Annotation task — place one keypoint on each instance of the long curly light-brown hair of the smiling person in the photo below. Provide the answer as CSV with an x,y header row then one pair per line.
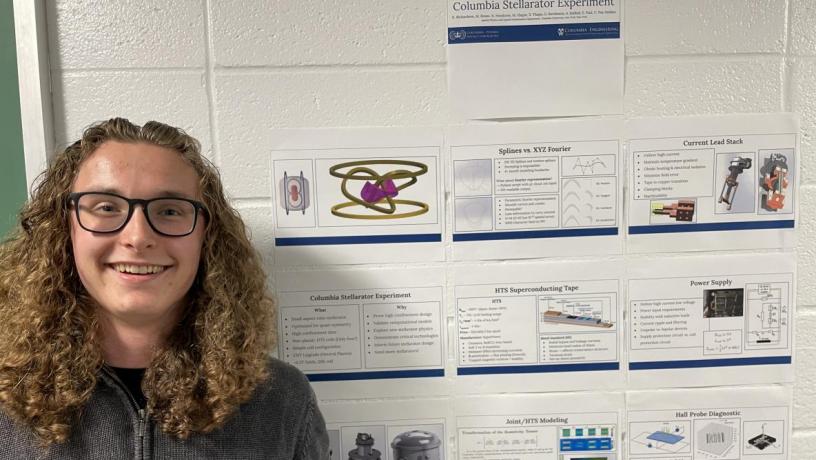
x,y
49,340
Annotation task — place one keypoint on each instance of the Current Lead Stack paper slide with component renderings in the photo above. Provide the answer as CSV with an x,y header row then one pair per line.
x,y
712,183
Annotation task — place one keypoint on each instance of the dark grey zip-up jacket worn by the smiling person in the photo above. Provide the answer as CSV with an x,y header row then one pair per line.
x,y
280,422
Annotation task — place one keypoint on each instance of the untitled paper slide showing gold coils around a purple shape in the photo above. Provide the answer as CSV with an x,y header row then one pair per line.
x,y
357,196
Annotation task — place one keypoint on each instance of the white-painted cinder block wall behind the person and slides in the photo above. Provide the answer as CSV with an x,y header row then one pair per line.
x,y
229,71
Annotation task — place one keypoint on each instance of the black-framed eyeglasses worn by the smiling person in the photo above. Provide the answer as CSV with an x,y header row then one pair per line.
x,y
100,212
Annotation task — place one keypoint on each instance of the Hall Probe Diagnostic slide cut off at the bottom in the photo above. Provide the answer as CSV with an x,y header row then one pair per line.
x,y
709,424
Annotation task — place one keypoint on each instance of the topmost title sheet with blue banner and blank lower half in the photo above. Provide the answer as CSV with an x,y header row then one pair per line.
x,y
541,58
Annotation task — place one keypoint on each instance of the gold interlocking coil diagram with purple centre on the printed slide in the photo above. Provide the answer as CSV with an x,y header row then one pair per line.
x,y
379,191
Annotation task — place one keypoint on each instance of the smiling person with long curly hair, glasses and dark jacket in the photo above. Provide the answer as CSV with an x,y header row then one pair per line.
x,y
134,317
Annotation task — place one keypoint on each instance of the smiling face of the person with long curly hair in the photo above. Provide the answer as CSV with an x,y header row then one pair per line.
x,y
136,275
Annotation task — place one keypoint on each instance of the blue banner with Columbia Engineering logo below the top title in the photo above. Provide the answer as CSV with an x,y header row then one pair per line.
x,y
533,33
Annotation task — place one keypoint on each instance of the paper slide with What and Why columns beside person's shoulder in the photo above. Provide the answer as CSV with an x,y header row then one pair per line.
x,y
365,332
